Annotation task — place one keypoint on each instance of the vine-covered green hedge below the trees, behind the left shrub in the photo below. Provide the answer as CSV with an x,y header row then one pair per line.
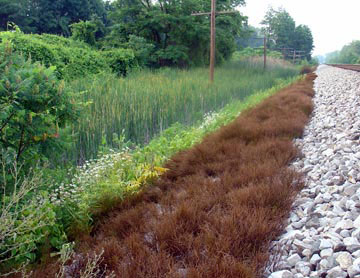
x,y
72,59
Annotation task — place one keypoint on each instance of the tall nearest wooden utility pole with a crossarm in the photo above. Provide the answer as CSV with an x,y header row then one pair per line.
x,y
212,14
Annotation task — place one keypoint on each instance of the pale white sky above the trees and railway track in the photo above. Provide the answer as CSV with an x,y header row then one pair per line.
x,y
333,23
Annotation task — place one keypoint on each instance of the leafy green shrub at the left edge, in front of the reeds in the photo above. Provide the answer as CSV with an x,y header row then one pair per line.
x,y
33,105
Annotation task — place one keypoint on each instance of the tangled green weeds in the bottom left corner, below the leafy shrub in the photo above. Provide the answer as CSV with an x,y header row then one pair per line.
x,y
28,219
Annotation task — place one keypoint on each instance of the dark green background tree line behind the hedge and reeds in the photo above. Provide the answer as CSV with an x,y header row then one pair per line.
x,y
162,33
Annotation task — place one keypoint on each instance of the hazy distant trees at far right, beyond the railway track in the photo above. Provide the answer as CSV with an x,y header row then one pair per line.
x,y
349,54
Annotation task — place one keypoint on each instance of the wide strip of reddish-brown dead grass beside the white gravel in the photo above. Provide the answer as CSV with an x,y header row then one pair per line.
x,y
214,213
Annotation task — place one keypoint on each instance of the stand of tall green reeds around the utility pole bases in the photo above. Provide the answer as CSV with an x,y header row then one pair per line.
x,y
147,102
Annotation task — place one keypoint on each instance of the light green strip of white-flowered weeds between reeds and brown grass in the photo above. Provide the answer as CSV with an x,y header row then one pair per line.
x,y
101,184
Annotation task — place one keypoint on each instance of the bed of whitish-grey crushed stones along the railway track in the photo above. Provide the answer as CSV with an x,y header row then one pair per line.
x,y
322,238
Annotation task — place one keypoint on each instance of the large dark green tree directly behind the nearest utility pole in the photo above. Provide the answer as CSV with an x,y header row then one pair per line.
x,y
178,38
